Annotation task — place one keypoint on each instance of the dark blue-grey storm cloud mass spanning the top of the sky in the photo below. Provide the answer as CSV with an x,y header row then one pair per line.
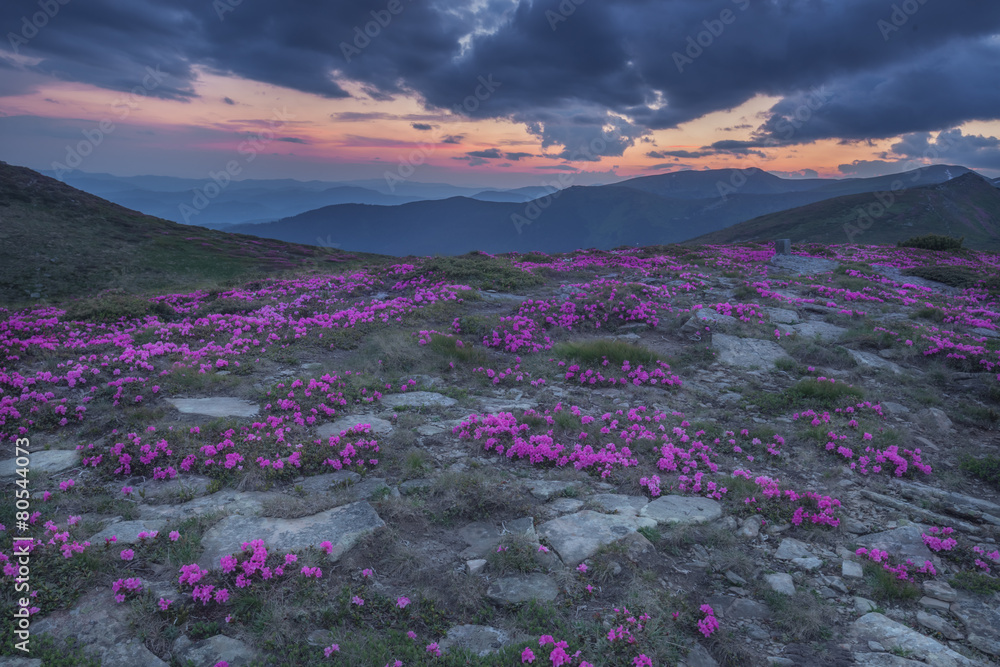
x,y
593,74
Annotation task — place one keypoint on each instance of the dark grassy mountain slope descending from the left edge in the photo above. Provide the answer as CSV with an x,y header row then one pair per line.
x,y
57,241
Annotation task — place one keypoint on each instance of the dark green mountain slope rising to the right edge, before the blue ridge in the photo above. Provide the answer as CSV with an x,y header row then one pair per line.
x,y
966,206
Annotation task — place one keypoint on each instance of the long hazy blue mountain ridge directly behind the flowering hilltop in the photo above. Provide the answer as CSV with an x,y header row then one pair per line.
x,y
664,208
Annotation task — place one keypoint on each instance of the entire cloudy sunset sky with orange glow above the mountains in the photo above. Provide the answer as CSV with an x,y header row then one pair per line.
x,y
502,93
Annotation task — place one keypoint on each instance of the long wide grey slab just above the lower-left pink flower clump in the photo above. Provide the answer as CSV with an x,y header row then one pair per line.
x,y
341,526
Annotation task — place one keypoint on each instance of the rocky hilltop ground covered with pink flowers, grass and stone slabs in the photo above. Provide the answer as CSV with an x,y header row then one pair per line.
x,y
657,456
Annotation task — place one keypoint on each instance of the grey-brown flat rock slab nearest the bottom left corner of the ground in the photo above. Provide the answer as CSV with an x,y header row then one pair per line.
x,y
101,629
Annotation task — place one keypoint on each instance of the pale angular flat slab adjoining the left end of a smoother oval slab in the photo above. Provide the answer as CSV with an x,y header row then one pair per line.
x,y
576,537
